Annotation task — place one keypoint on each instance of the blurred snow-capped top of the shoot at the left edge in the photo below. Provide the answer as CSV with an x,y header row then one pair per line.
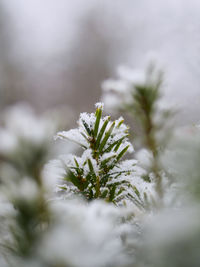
x,y
25,139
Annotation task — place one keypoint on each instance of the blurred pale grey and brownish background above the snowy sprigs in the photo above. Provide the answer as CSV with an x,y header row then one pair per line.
x,y
56,53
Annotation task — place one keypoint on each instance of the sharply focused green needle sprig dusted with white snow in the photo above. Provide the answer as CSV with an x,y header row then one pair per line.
x,y
99,172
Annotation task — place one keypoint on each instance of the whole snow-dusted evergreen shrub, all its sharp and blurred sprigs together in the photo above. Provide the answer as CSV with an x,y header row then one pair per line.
x,y
152,218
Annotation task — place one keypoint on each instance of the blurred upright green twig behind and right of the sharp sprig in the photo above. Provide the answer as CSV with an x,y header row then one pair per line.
x,y
152,121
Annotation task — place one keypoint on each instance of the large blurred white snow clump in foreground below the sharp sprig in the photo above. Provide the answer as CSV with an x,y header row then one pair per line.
x,y
94,231
